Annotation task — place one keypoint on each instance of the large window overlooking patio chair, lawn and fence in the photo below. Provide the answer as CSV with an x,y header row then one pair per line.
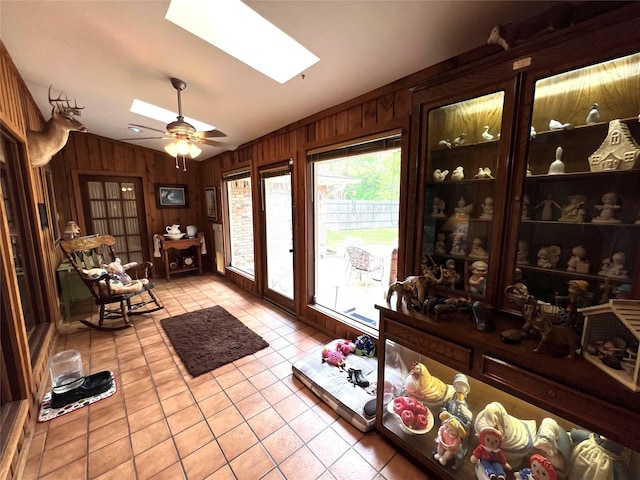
x,y
356,214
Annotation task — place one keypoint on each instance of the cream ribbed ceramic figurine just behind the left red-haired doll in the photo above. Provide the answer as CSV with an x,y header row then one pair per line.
x,y
517,434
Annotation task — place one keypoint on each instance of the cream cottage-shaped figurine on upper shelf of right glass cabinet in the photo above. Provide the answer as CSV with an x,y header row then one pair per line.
x,y
619,150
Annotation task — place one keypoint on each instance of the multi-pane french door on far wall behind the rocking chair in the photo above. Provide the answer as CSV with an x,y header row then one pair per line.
x,y
115,206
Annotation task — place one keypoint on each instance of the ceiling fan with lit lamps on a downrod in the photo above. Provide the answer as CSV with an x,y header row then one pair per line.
x,y
184,135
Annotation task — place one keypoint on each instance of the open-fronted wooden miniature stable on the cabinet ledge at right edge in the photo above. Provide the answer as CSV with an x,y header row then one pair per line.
x,y
616,323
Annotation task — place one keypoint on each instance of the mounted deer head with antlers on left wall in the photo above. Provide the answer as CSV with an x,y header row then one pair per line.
x,y
42,146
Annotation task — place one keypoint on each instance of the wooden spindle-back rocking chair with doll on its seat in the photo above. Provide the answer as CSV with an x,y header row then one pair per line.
x,y
89,256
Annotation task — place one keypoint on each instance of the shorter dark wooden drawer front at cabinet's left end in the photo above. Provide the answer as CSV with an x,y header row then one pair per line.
x,y
441,350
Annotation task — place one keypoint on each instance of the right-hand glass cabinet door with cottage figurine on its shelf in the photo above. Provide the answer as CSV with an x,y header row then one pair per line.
x,y
579,236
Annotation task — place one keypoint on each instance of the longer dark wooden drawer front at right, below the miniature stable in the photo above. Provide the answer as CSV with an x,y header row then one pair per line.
x,y
606,418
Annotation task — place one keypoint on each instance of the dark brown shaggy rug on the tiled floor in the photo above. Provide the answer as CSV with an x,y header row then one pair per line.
x,y
210,338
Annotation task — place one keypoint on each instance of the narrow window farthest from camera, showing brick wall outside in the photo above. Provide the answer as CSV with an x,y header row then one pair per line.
x,y
238,189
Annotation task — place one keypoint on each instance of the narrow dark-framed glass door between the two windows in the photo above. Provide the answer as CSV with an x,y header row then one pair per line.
x,y
277,221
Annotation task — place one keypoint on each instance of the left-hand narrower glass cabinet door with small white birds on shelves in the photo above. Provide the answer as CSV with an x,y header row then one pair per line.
x,y
460,190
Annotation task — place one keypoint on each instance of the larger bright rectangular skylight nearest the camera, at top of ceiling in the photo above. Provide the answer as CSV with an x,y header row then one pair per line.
x,y
239,31
